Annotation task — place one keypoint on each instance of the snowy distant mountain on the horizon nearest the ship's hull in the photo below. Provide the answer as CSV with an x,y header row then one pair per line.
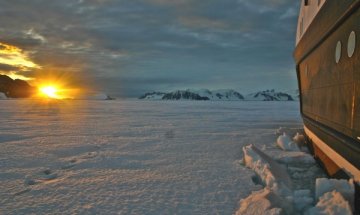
x,y
269,95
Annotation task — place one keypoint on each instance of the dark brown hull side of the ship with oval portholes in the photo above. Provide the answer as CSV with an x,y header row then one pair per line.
x,y
330,90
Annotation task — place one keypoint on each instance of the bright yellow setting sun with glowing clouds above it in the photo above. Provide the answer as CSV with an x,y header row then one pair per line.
x,y
49,81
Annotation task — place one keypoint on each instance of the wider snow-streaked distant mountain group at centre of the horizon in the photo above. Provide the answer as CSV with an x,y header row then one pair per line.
x,y
189,94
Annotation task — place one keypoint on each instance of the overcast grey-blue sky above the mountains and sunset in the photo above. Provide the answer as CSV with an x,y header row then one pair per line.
x,y
128,47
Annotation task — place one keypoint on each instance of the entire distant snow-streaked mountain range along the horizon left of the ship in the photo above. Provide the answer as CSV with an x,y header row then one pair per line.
x,y
224,95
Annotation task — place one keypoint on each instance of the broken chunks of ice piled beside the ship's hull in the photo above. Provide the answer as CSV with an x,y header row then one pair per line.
x,y
279,196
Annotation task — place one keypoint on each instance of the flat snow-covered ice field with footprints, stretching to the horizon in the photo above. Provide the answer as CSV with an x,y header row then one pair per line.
x,y
132,157
